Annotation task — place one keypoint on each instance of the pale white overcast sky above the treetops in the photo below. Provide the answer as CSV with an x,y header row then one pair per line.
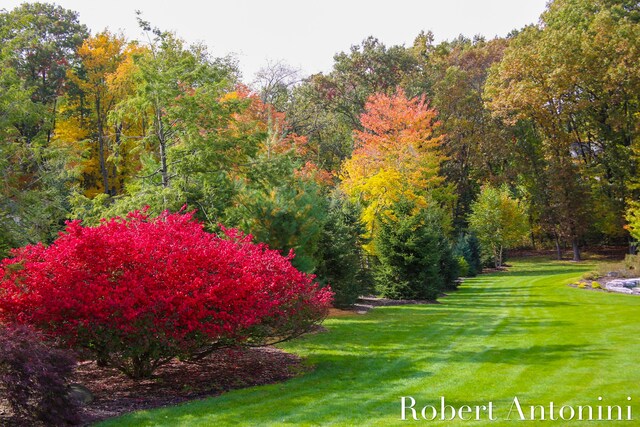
x,y
304,34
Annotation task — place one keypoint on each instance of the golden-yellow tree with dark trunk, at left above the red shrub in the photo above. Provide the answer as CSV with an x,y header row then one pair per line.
x,y
102,79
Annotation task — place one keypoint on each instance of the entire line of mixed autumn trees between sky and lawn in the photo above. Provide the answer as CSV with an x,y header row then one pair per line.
x,y
402,165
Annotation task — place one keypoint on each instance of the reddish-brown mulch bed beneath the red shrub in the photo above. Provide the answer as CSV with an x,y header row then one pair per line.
x,y
115,394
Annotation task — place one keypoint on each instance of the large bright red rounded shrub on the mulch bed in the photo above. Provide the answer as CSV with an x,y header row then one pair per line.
x,y
140,291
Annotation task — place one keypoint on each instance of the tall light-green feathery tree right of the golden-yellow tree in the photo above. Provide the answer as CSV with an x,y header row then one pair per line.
x,y
178,91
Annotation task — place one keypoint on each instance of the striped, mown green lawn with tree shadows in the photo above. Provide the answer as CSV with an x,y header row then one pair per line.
x,y
522,333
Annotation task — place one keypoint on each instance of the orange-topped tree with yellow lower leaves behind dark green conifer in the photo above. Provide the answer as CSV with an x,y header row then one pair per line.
x,y
396,156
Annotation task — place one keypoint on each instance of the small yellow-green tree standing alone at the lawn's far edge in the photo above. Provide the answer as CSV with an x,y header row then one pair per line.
x,y
499,221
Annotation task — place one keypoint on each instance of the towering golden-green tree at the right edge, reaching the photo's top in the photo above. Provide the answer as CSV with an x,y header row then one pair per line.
x,y
565,75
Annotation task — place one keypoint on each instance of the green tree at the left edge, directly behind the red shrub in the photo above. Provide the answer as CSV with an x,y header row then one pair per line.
x,y
34,184
